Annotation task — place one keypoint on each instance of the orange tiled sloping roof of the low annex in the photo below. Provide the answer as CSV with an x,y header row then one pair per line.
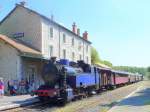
x,y
19,46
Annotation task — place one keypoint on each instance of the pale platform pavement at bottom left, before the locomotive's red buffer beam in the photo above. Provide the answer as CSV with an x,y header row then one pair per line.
x,y
8,102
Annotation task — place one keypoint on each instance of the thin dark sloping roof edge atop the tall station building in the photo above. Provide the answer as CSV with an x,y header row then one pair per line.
x,y
46,18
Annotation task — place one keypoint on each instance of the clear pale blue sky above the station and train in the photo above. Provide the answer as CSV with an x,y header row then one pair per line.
x,y
118,29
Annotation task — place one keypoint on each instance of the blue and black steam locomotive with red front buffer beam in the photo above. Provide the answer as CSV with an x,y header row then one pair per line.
x,y
67,82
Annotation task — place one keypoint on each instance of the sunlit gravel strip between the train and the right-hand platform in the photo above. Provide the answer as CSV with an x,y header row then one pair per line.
x,y
100,103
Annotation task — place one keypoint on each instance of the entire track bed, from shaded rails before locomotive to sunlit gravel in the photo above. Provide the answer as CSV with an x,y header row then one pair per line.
x,y
101,102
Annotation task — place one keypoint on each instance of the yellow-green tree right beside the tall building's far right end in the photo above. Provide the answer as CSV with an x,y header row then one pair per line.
x,y
94,56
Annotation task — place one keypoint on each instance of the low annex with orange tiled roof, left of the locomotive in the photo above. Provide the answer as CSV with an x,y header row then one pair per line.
x,y
18,61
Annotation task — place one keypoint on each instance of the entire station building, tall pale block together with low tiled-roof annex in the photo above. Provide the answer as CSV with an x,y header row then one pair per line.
x,y
31,38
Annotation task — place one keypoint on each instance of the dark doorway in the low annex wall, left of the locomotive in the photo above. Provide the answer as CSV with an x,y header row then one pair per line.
x,y
31,75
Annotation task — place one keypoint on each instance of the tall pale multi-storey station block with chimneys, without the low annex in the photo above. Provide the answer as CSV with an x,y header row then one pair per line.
x,y
45,35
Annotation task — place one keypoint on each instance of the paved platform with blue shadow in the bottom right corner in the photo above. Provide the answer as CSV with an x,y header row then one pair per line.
x,y
137,101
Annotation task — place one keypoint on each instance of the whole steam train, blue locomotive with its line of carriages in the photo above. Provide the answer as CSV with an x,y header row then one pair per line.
x,y
66,81
